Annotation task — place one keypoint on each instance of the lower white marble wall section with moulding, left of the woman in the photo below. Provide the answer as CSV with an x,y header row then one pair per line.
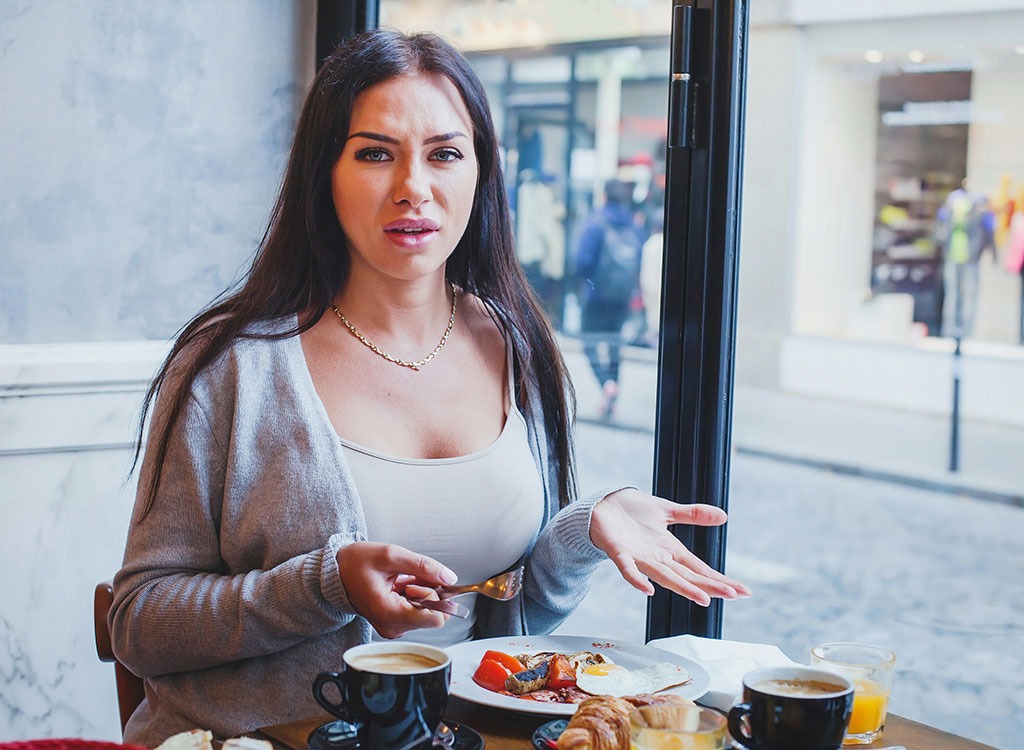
x,y
67,419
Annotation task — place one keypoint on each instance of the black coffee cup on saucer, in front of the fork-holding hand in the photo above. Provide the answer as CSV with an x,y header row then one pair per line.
x,y
395,693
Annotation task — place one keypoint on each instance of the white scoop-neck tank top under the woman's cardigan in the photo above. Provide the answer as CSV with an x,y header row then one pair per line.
x,y
477,514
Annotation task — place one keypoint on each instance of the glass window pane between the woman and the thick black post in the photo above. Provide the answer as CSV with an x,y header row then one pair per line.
x,y
579,93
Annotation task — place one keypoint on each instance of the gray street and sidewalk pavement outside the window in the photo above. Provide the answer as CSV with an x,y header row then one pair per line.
x,y
849,526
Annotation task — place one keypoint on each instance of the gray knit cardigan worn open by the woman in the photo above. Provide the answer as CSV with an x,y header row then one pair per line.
x,y
230,600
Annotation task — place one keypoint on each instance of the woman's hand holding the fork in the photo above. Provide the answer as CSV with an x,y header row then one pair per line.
x,y
376,576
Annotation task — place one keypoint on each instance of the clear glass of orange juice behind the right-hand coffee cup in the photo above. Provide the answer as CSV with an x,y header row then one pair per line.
x,y
871,671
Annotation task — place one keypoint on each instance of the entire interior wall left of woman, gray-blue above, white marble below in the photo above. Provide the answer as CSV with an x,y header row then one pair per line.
x,y
143,146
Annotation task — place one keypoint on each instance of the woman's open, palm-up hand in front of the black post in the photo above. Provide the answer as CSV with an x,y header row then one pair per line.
x,y
632,528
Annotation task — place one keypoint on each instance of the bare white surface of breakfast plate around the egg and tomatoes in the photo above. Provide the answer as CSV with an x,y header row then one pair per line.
x,y
466,658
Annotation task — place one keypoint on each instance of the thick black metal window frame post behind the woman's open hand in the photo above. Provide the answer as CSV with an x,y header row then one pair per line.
x,y
700,277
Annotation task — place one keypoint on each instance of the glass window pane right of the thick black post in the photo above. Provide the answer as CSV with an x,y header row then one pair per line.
x,y
884,177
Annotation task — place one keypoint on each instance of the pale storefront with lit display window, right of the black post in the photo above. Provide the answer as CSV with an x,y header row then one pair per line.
x,y
867,128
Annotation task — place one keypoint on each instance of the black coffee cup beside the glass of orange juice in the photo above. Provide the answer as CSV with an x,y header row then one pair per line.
x,y
792,709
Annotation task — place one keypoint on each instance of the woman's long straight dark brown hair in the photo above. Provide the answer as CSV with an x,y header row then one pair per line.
x,y
304,260
